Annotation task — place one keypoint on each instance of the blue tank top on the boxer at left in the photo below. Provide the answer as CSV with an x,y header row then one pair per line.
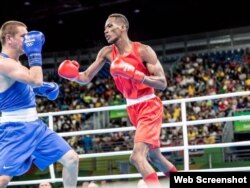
x,y
16,97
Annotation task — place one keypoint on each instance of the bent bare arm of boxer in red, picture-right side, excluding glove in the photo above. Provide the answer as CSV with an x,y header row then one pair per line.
x,y
157,78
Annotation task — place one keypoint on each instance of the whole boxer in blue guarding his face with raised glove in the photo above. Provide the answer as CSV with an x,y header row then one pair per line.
x,y
24,138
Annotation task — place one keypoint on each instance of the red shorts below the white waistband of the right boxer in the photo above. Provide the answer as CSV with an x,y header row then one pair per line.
x,y
146,116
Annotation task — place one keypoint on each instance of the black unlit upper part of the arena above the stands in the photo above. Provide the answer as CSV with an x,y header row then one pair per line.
x,y
73,24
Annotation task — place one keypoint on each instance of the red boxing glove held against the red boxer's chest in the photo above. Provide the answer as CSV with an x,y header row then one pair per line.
x,y
121,68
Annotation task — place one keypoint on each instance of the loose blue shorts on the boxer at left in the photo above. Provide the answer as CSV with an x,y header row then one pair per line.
x,y
24,143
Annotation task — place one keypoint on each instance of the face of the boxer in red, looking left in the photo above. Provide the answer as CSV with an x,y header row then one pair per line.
x,y
112,30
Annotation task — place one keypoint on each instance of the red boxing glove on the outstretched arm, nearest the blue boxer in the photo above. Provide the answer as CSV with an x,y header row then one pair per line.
x,y
69,69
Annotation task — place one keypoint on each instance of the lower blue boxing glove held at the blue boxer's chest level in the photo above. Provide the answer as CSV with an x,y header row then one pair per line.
x,y
49,90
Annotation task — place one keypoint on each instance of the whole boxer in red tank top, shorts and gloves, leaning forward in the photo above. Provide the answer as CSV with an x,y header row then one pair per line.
x,y
137,72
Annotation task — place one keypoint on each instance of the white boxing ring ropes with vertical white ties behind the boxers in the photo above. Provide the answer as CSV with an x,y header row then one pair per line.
x,y
184,123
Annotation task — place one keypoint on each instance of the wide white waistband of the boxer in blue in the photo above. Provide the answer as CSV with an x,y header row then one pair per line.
x,y
29,114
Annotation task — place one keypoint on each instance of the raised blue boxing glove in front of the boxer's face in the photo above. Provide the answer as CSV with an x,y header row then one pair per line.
x,y
32,46
